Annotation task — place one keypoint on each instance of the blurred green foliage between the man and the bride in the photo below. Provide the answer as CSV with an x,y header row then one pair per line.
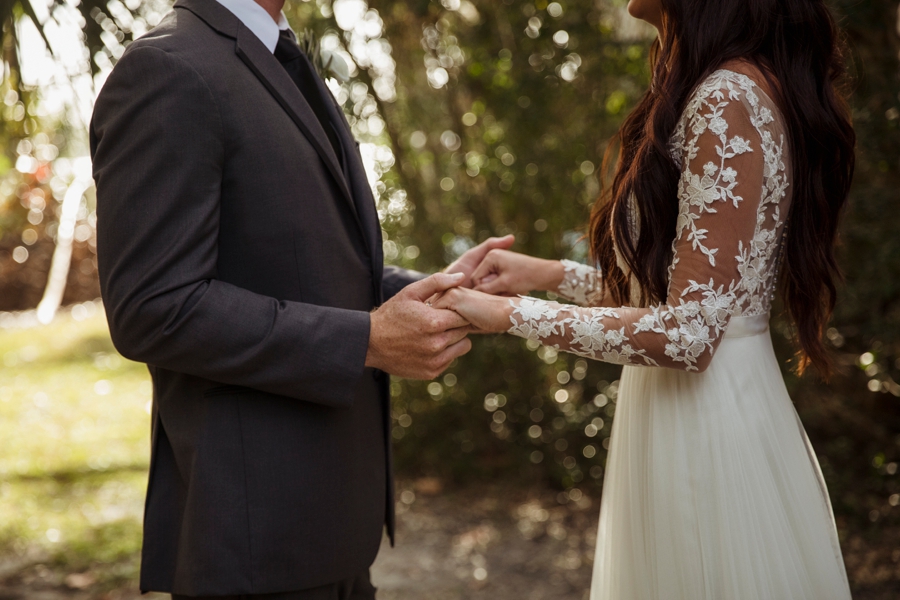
x,y
512,143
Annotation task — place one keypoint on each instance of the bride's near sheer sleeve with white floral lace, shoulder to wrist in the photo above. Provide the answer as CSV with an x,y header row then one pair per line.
x,y
719,195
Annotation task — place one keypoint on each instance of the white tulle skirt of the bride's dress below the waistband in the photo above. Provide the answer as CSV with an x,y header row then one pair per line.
x,y
712,490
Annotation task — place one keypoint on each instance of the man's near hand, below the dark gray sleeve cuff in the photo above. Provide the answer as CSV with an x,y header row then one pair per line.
x,y
410,339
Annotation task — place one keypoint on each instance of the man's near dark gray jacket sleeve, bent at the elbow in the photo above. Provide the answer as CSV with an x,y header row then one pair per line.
x,y
158,146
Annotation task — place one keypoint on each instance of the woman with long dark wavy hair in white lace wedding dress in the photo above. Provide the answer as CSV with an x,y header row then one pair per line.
x,y
712,491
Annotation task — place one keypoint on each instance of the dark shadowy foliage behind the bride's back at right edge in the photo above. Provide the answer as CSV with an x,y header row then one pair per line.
x,y
854,421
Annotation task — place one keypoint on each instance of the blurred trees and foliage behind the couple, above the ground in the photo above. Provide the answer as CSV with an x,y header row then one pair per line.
x,y
497,115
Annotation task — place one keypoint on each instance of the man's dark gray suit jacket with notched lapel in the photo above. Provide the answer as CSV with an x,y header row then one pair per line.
x,y
239,258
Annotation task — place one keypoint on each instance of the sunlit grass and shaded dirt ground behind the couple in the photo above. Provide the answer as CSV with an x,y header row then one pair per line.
x,y
73,459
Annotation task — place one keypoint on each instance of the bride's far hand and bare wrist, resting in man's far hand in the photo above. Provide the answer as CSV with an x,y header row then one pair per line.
x,y
506,273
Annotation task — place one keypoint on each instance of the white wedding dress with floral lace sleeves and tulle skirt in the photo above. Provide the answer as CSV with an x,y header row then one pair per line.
x,y
712,491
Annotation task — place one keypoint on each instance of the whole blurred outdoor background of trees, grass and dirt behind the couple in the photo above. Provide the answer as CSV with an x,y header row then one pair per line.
x,y
474,118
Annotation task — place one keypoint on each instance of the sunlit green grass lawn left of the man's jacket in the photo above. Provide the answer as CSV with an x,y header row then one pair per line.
x,y
74,451
